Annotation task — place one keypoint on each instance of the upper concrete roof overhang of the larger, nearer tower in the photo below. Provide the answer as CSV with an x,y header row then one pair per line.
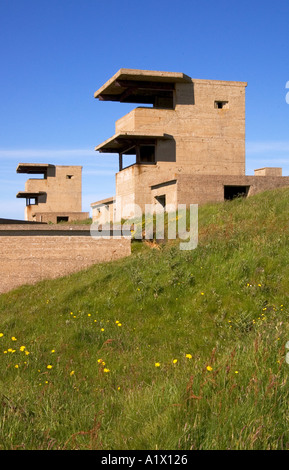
x,y
139,86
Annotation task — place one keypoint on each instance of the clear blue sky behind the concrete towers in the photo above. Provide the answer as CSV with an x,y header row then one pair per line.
x,y
55,53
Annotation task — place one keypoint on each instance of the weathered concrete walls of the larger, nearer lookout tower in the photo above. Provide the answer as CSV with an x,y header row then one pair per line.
x,y
206,140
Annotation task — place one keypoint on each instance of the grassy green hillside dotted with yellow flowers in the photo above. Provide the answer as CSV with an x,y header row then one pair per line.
x,y
167,349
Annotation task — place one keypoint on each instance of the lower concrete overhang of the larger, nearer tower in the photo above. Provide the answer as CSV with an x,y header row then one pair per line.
x,y
123,141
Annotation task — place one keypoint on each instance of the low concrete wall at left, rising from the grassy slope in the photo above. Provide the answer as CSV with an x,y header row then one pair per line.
x,y
29,254
